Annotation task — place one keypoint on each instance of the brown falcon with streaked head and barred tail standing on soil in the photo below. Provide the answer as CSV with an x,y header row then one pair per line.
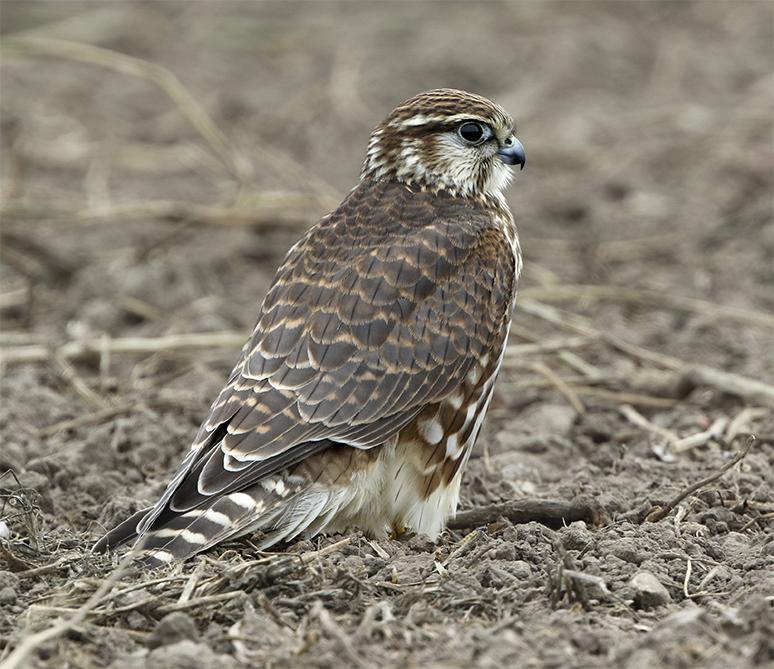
x,y
362,389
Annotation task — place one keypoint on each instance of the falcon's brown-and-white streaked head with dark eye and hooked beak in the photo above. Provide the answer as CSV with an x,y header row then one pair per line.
x,y
446,139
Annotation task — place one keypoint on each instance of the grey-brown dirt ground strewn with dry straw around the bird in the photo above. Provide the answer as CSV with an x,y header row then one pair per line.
x,y
157,161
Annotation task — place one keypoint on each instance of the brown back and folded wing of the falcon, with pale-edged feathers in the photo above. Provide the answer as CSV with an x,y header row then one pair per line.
x,y
379,311
